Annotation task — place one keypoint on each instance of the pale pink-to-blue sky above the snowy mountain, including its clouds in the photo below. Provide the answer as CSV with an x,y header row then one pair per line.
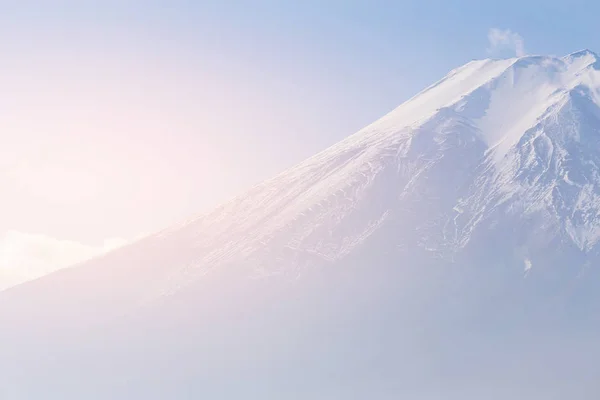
x,y
120,118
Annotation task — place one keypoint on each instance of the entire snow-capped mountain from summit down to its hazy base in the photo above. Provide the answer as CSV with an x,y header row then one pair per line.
x,y
448,250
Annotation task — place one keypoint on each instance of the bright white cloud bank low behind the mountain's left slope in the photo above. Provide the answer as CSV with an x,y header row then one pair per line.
x,y
25,256
